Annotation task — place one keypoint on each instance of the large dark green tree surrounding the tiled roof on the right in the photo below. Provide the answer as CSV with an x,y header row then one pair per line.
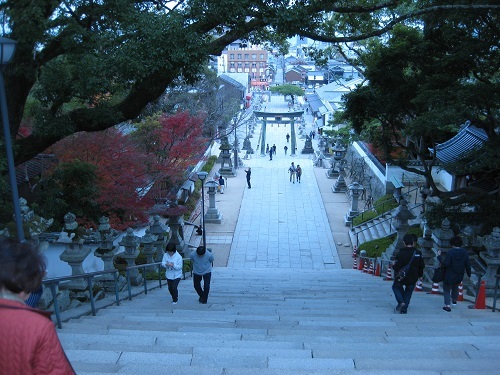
x,y
423,85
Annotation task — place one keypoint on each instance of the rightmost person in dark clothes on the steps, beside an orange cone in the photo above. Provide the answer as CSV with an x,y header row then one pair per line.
x,y
456,262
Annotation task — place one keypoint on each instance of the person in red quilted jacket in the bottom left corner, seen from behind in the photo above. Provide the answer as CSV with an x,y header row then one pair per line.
x,y
28,339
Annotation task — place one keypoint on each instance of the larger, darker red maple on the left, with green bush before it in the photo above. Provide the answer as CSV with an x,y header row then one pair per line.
x,y
105,171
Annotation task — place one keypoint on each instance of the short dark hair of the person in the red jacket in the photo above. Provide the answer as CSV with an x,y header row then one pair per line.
x,y
23,266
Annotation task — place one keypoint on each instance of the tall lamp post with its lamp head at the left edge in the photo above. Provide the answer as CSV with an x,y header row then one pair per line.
x,y
7,48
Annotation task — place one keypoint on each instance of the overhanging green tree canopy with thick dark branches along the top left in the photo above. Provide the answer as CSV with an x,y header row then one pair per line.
x,y
89,65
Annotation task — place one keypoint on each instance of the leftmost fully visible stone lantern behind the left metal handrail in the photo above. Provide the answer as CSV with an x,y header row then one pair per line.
x,y
75,253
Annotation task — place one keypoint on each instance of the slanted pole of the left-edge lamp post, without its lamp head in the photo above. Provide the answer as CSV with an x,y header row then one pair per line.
x,y
10,159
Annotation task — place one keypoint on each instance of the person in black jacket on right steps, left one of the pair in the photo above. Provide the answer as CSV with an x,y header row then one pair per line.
x,y
404,289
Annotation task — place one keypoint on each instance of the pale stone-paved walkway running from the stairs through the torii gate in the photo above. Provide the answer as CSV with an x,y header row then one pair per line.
x,y
277,223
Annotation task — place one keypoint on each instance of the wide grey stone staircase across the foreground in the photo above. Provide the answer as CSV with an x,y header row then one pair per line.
x,y
284,321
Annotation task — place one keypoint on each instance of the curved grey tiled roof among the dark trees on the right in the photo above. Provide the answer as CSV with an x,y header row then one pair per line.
x,y
466,140
